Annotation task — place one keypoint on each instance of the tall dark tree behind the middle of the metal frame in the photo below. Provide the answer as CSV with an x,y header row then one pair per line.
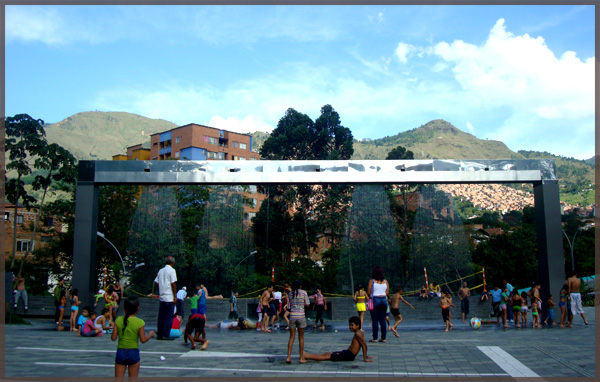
x,y
305,207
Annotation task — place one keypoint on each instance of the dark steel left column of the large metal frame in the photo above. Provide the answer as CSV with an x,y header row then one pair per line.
x,y
84,239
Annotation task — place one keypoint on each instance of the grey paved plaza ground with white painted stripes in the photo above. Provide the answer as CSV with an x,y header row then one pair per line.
x,y
423,349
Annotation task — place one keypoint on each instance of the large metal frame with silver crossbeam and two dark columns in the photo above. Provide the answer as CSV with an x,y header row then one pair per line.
x,y
539,172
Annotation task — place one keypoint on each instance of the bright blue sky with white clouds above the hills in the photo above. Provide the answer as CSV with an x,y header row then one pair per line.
x,y
520,74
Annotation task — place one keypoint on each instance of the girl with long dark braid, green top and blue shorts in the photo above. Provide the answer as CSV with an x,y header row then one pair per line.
x,y
129,329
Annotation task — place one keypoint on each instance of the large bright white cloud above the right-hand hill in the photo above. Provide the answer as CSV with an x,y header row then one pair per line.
x,y
523,73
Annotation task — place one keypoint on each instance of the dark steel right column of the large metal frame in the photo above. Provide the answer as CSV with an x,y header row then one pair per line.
x,y
551,262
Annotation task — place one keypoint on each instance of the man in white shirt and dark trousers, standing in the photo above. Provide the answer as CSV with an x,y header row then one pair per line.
x,y
167,289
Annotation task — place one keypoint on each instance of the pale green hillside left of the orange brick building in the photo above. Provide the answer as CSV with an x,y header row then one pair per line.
x,y
99,135
